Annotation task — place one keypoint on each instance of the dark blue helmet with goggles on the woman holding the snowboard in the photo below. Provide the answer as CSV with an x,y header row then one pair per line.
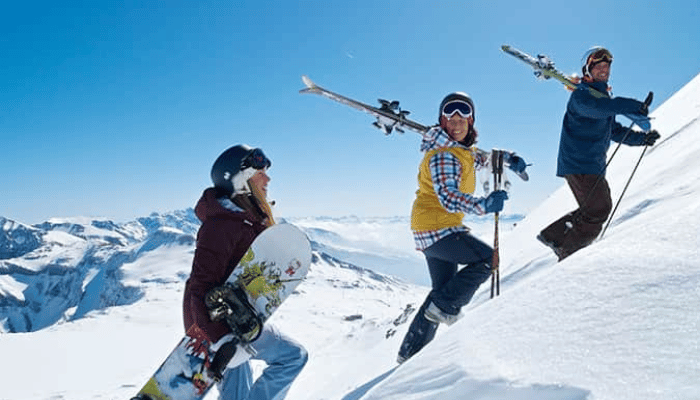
x,y
234,161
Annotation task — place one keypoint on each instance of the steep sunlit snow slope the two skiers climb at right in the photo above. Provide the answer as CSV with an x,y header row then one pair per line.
x,y
618,319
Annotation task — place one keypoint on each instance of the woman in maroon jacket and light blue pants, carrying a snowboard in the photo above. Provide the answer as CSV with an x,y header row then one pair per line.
x,y
233,213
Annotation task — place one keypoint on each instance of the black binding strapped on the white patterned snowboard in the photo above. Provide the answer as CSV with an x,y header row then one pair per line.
x,y
229,302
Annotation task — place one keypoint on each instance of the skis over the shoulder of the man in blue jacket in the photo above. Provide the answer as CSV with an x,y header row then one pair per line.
x,y
544,69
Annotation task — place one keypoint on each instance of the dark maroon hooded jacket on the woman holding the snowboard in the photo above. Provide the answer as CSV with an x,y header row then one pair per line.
x,y
222,240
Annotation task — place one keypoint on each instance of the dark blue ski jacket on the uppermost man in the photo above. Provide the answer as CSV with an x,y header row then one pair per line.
x,y
589,126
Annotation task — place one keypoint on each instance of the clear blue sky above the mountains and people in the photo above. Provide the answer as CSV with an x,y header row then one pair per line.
x,y
117,109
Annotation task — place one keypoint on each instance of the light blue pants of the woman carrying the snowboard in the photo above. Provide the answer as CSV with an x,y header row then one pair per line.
x,y
285,359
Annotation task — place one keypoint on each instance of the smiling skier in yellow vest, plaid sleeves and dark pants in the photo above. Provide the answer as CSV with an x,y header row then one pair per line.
x,y
446,183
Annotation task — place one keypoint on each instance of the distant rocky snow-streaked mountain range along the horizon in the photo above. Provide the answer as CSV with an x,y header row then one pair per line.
x,y
62,269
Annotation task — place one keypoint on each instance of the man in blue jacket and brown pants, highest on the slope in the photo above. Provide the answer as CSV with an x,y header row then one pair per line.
x,y
589,126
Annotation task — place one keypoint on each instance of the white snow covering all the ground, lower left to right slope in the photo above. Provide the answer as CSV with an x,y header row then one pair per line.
x,y
617,320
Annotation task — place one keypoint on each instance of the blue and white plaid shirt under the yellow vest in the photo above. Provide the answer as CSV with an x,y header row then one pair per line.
x,y
446,174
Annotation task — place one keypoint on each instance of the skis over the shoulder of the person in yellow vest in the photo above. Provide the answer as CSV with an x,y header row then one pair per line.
x,y
390,117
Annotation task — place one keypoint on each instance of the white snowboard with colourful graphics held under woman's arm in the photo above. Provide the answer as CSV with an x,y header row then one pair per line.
x,y
274,265
